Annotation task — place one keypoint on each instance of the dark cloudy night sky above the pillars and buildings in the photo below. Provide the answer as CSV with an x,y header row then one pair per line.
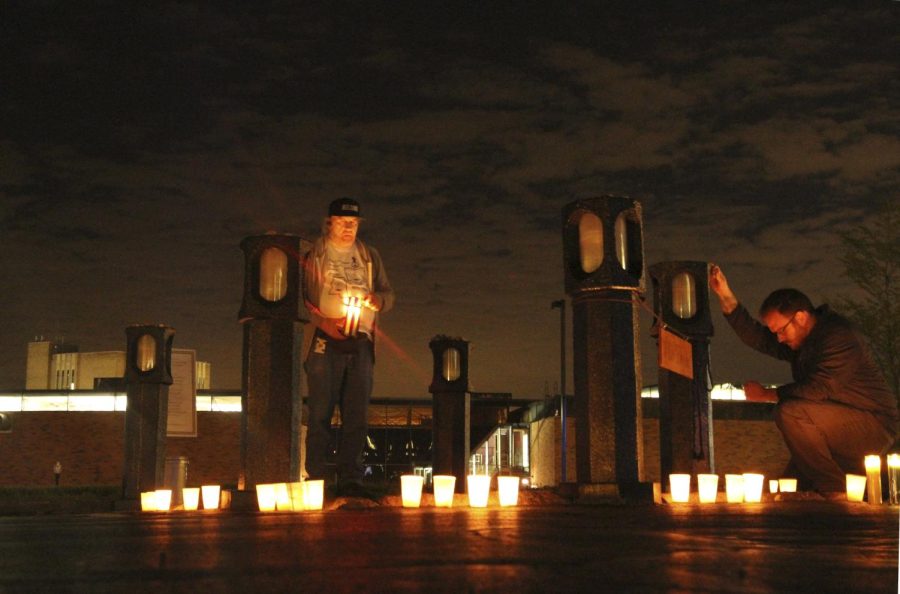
x,y
138,146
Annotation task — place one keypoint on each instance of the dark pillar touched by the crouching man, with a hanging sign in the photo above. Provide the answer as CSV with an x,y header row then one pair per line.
x,y
681,304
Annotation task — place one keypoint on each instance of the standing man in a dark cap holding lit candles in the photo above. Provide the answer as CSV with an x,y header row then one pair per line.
x,y
341,271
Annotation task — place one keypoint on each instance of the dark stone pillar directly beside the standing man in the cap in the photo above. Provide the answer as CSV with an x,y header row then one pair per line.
x,y
272,314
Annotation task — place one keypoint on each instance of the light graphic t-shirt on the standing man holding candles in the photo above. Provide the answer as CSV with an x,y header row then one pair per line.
x,y
345,274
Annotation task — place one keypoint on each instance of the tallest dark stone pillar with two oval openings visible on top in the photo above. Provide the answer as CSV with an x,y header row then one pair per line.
x,y
604,276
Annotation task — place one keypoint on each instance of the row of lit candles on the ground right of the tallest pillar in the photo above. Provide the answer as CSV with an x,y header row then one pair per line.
x,y
748,487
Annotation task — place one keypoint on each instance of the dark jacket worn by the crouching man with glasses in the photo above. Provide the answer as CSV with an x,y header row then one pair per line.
x,y
833,363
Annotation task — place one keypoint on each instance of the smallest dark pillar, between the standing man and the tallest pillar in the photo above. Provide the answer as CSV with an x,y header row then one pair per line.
x,y
451,408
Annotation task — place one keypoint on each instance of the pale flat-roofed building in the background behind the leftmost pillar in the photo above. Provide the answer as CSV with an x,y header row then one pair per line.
x,y
55,365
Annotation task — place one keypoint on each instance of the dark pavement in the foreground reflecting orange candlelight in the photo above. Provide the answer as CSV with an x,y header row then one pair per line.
x,y
775,546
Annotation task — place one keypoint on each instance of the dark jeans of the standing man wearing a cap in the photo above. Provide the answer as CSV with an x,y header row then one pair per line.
x,y
338,374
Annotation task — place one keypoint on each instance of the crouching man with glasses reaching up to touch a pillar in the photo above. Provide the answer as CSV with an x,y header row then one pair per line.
x,y
838,408
